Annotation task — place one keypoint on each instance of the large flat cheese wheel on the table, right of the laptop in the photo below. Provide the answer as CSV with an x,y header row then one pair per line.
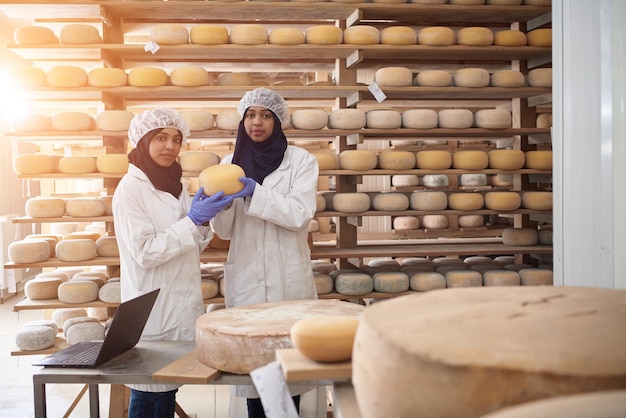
x,y
258,332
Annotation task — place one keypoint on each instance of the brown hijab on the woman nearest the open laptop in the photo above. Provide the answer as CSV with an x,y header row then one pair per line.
x,y
166,179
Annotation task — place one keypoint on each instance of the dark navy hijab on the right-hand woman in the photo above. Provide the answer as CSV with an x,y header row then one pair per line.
x,y
258,159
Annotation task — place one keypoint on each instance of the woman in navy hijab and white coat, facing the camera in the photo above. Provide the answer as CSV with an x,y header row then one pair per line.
x,y
269,259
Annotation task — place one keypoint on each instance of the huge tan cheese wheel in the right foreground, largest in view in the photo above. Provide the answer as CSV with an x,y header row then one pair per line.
x,y
387,355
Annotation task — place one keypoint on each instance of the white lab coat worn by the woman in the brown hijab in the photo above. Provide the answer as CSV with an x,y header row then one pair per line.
x,y
159,248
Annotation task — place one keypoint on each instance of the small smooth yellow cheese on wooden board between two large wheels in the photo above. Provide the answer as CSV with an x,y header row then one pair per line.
x,y
325,338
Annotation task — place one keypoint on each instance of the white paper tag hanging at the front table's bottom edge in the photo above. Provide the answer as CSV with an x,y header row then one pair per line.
x,y
275,397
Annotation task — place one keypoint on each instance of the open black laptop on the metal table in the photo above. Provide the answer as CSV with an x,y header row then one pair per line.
x,y
124,333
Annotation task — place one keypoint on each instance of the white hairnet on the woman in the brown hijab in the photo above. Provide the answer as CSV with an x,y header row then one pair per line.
x,y
157,118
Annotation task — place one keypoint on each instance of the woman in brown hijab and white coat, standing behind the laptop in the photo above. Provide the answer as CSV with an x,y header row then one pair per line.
x,y
160,233
